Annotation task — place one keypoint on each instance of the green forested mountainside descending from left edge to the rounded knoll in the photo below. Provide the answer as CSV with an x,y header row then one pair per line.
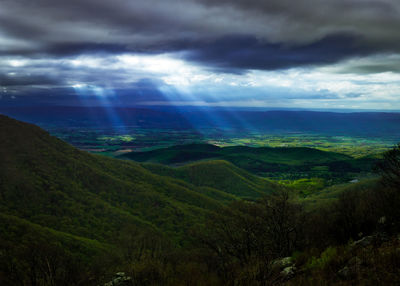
x,y
48,183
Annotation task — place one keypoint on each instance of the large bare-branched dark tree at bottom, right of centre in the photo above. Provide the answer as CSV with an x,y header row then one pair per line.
x,y
246,237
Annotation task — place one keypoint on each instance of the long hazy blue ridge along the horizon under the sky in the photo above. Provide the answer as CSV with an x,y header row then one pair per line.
x,y
384,124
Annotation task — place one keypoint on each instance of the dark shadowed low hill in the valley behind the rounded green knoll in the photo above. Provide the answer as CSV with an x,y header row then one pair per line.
x,y
279,163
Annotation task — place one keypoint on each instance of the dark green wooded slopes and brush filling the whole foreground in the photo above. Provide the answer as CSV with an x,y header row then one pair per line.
x,y
71,218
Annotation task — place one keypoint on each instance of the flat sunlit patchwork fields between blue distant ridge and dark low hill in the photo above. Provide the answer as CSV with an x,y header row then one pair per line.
x,y
114,142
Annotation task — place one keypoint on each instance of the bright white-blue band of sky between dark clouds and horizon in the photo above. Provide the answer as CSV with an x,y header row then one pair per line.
x,y
340,85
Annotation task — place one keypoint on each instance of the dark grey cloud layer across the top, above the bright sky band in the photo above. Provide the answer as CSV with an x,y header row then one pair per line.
x,y
281,33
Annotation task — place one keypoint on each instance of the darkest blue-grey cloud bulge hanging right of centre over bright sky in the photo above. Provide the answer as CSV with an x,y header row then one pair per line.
x,y
247,52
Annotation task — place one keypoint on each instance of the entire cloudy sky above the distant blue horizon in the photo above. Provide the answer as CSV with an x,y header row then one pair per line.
x,y
244,53
